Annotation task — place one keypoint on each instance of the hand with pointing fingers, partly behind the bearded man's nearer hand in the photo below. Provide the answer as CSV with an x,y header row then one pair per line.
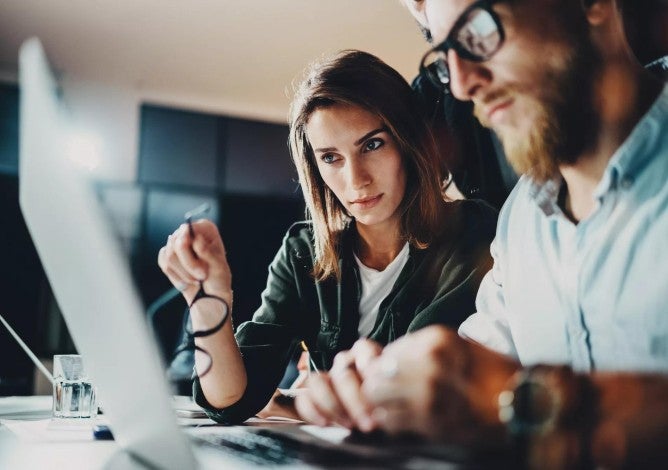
x,y
336,397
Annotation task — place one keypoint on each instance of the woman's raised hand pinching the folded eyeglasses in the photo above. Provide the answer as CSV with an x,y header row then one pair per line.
x,y
187,260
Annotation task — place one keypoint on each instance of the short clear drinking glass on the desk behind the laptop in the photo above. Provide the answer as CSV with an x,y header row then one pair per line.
x,y
73,394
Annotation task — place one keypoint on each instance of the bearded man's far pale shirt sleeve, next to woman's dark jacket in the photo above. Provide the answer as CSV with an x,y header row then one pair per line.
x,y
489,325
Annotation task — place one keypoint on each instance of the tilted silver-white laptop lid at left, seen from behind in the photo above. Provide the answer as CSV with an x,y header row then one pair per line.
x,y
90,276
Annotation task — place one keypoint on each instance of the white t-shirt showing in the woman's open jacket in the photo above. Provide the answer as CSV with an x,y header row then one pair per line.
x,y
376,285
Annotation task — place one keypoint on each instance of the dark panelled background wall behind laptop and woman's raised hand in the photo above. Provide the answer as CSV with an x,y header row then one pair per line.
x,y
241,168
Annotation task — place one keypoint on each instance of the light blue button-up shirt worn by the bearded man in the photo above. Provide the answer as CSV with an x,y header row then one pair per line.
x,y
592,295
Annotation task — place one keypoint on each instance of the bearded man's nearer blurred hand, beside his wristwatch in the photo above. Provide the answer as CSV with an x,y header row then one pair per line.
x,y
436,384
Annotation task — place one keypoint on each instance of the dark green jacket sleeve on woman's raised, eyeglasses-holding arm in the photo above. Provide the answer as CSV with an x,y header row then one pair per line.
x,y
266,342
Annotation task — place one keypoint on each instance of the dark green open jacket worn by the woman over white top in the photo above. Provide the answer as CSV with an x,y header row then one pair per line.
x,y
437,285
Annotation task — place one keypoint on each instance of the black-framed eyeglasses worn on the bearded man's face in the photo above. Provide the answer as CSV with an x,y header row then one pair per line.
x,y
476,36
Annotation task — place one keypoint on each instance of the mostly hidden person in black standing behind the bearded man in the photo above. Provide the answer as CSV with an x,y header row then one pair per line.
x,y
473,153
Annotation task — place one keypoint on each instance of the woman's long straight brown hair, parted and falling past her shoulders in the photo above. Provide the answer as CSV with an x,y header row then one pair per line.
x,y
360,79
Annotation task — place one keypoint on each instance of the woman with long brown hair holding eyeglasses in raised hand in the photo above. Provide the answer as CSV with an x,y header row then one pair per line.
x,y
383,253
